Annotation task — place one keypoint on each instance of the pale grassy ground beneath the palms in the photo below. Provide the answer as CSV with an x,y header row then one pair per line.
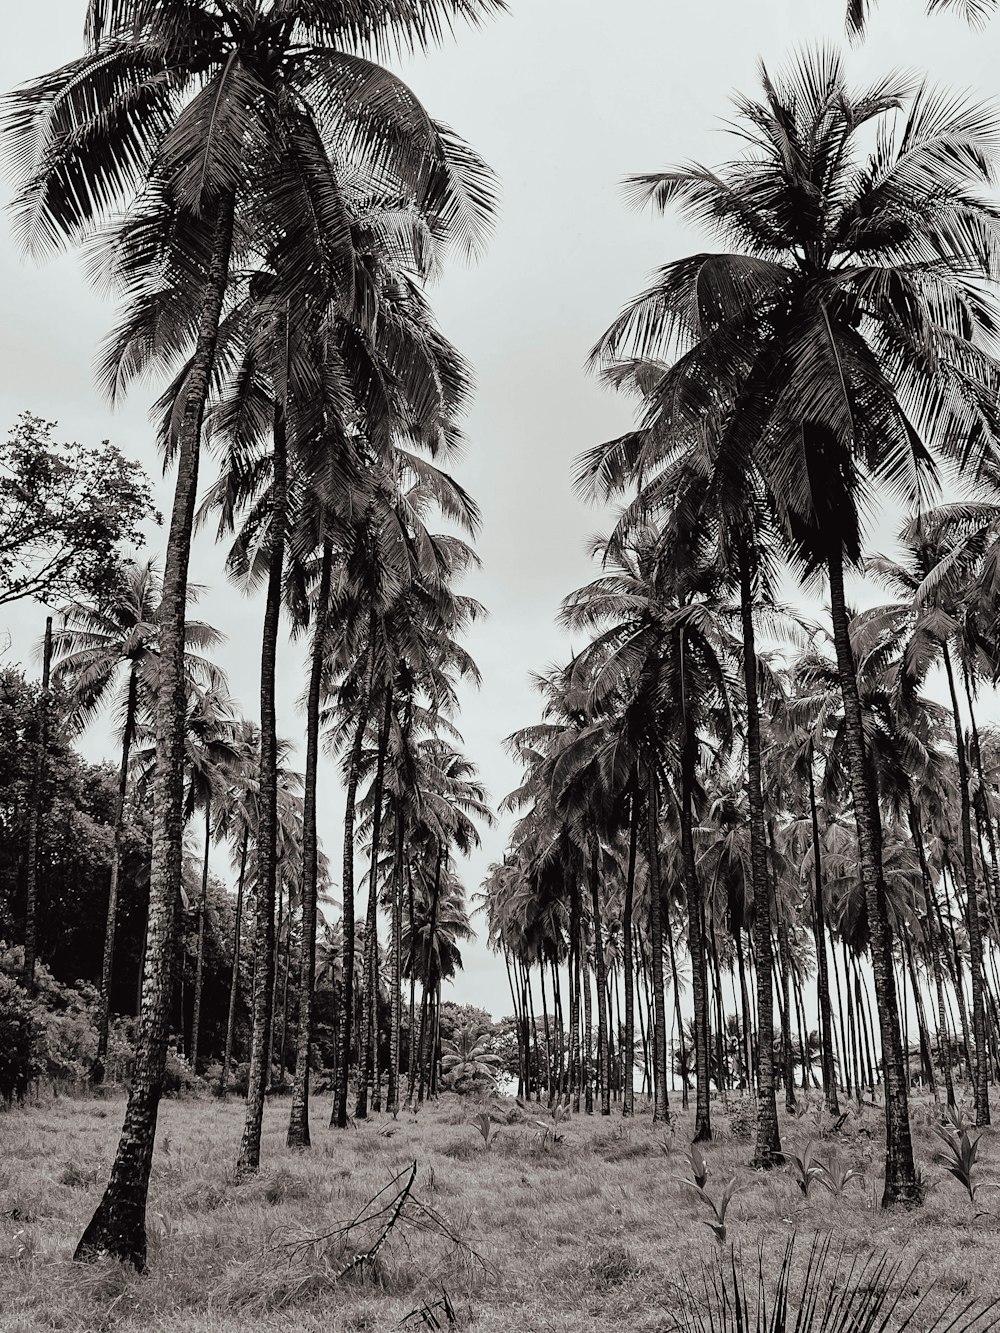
x,y
591,1232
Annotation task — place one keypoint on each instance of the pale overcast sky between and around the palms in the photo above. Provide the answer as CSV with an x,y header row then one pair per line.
x,y
563,99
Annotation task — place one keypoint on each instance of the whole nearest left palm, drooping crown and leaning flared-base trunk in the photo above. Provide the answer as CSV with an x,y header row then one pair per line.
x,y
218,130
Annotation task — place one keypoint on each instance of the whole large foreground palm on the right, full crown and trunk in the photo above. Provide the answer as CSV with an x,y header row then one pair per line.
x,y
846,333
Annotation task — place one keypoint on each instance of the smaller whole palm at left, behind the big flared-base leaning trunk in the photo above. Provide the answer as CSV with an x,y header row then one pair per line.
x,y
93,646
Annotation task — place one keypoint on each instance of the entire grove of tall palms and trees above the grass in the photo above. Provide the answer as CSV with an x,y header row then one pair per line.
x,y
755,848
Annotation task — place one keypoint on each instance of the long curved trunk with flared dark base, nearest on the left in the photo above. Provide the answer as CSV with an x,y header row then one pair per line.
x,y
118,1228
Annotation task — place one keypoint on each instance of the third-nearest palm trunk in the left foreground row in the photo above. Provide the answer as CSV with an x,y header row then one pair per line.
x,y
299,1115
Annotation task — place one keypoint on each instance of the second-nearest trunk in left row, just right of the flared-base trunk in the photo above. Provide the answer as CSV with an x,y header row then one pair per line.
x,y
249,1159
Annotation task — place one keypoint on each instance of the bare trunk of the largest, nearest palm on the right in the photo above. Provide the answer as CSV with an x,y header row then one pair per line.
x,y
901,1178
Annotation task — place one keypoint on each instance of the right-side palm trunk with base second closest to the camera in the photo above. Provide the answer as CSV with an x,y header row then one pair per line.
x,y
769,1146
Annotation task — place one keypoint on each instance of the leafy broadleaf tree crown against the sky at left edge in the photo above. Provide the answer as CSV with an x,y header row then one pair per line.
x,y
67,513
